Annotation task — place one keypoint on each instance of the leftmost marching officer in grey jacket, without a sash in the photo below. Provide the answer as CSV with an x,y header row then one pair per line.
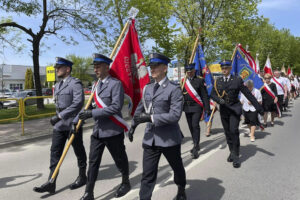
x,y
69,100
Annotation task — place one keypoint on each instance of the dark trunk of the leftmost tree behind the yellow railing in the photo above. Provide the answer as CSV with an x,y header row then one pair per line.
x,y
36,69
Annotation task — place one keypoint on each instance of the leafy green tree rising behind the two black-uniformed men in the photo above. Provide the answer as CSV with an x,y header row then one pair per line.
x,y
224,23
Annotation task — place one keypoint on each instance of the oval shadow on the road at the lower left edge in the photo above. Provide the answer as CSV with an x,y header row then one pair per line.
x,y
20,180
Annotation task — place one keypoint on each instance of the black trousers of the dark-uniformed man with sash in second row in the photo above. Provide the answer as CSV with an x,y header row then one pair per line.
x,y
193,120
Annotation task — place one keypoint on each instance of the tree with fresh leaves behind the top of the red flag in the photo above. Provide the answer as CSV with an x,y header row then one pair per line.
x,y
152,23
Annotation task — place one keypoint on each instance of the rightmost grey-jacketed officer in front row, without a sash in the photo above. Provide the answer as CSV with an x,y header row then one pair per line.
x,y
161,108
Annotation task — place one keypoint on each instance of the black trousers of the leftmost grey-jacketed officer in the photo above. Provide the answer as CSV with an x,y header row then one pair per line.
x,y
59,139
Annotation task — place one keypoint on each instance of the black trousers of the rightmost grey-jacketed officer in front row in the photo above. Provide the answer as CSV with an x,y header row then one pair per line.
x,y
150,167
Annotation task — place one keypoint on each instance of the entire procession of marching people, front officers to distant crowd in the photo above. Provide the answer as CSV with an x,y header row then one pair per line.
x,y
161,107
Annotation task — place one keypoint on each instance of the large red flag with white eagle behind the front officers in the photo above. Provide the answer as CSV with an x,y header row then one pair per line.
x,y
130,68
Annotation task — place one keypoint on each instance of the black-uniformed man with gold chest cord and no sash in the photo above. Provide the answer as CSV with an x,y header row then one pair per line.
x,y
226,91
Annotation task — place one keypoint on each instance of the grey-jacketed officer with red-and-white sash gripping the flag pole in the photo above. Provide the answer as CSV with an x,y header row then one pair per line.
x,y
109,99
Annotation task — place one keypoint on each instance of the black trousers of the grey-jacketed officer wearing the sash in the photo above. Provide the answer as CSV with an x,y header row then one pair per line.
x,y
116,147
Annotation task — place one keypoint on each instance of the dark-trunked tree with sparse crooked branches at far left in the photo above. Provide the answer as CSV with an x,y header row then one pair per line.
x,y
55,16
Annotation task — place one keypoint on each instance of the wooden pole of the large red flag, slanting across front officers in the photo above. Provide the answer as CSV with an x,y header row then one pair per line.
x,y
86,107
